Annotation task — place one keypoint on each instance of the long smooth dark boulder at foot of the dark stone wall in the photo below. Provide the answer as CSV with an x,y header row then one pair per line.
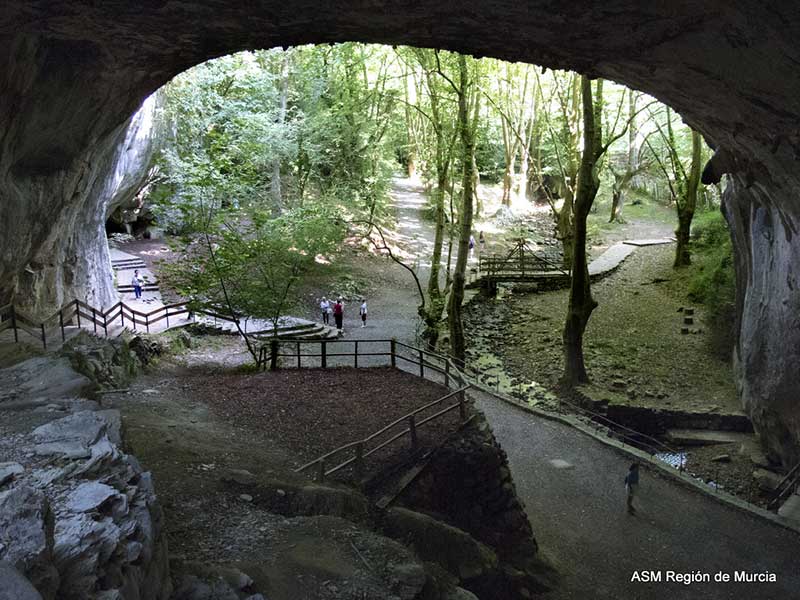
x,y
454,549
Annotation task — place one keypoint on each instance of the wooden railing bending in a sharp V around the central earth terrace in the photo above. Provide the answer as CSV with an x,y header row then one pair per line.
x,y
428,365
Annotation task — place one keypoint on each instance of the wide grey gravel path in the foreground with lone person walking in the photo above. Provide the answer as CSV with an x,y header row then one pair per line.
x,y
578,515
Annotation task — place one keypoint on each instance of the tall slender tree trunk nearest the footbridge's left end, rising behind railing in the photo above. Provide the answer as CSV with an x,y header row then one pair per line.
x,y
457,345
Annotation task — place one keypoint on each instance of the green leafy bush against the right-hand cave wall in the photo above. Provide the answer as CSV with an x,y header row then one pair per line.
x,y
712,281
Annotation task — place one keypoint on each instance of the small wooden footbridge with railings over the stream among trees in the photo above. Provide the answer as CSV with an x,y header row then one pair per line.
x,y
521,265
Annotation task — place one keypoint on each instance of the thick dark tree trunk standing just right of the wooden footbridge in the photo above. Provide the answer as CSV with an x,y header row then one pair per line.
x,y
581,303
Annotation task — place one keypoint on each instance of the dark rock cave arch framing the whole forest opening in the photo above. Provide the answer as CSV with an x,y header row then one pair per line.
x,y
73,73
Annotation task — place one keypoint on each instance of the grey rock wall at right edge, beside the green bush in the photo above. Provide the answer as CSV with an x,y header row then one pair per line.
x,y
767,352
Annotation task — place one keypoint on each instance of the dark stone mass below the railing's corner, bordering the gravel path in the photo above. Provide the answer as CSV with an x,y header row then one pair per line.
x,y
467,485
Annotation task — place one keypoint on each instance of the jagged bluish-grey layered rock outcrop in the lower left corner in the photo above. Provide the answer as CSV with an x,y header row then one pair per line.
x,y
79,518
